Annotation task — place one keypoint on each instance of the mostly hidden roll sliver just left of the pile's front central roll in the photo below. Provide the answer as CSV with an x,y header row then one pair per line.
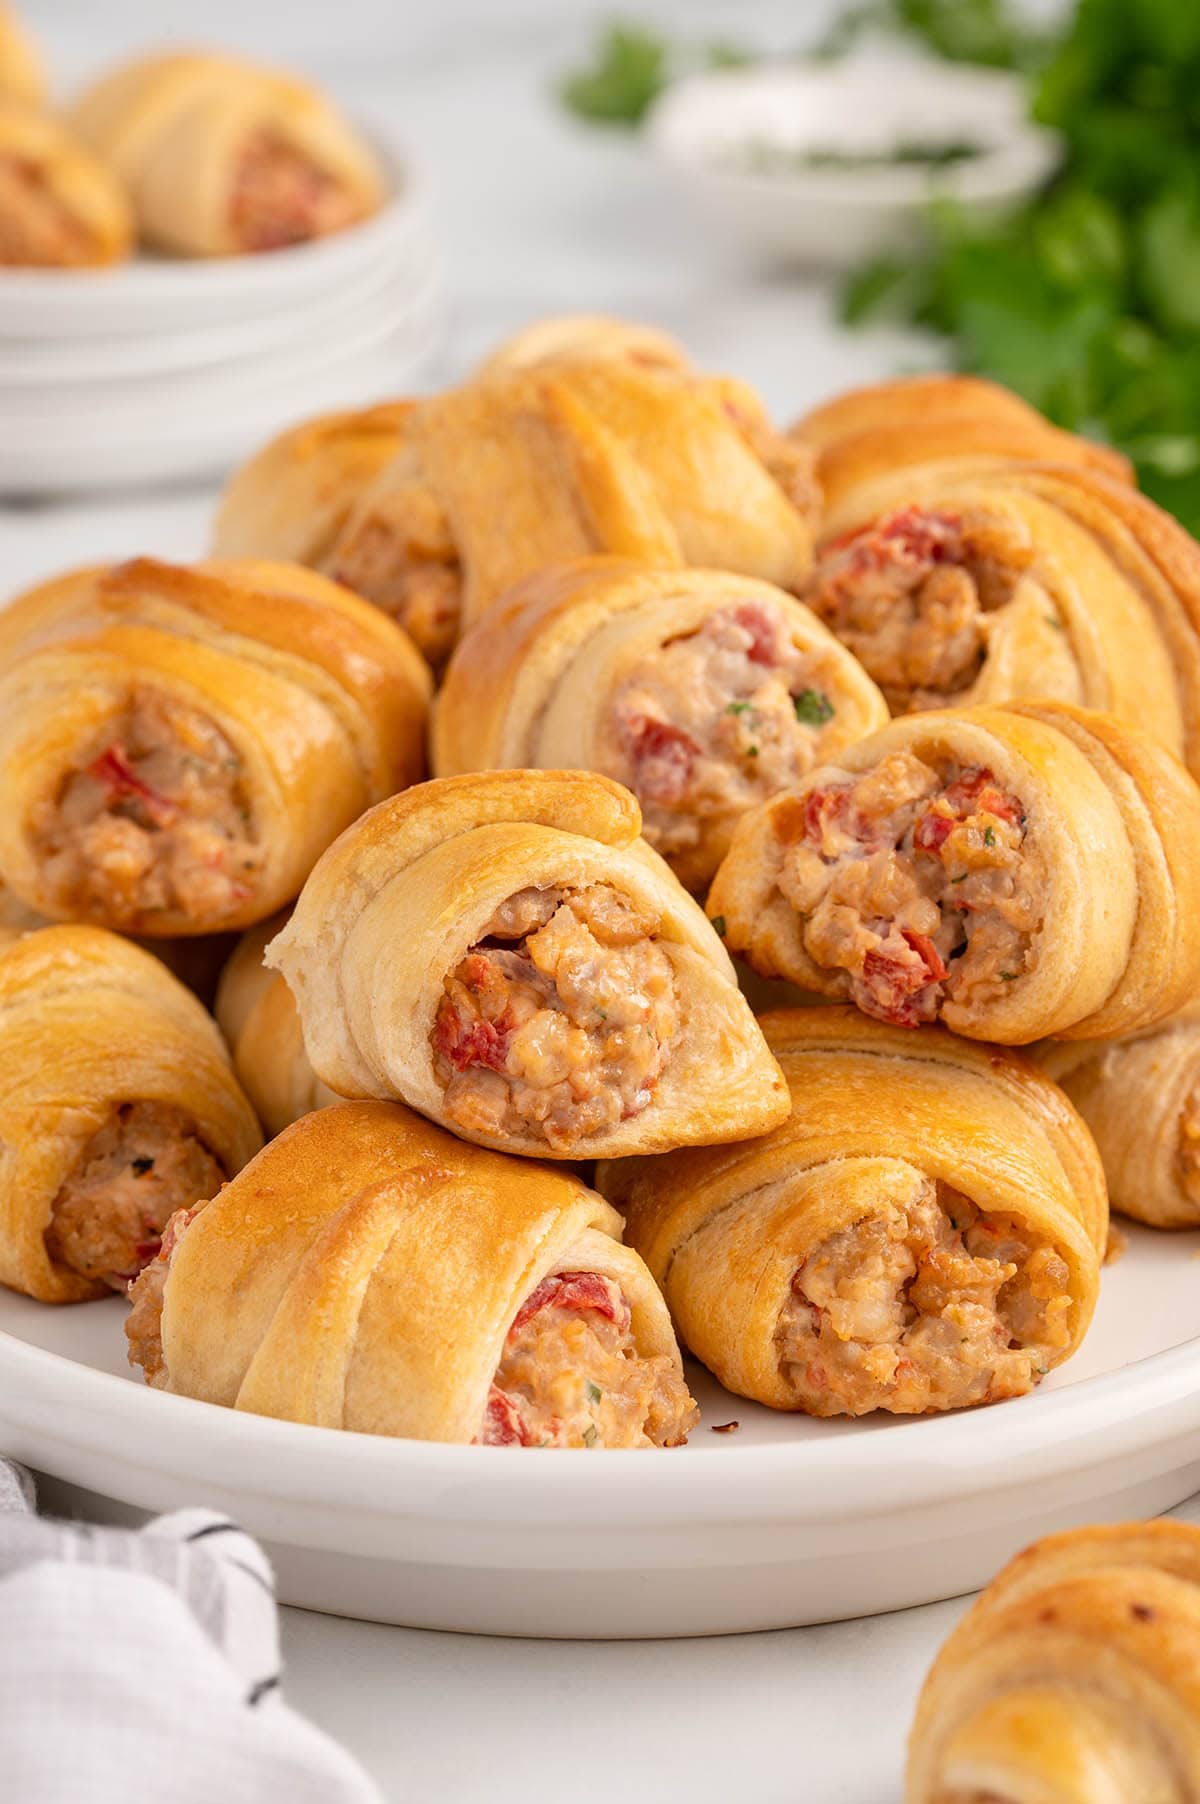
x,y
257,1015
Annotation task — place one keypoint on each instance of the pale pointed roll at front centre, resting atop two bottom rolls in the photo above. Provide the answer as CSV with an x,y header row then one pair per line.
x,y
506,955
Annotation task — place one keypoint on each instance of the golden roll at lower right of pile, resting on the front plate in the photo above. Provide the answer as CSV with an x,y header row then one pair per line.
x,y
923,1233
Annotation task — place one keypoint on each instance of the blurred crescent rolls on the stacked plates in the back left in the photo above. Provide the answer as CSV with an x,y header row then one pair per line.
x,y
185,154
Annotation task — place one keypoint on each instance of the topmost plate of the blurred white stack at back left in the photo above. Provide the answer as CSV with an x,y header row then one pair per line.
x,y
174,295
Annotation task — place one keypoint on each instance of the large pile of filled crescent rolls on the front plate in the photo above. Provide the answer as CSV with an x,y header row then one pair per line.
x,y
553,746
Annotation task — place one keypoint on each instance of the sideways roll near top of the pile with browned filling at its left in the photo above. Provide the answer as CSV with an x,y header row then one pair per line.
x,y
564,459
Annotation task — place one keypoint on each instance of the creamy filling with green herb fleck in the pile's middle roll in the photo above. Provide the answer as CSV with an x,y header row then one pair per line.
x,y
717,721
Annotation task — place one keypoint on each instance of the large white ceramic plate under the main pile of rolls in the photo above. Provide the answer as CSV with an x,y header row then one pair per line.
x,y
786,1522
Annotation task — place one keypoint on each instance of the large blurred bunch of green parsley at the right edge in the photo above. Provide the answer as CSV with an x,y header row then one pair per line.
x,y
1087,300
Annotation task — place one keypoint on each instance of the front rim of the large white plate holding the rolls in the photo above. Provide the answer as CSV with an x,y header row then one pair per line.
x,y
286,1462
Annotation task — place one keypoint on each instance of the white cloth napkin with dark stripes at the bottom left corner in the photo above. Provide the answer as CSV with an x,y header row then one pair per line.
x,y
149,1659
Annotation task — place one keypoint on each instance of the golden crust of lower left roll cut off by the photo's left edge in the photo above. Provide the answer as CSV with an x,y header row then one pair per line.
x,y
88,1024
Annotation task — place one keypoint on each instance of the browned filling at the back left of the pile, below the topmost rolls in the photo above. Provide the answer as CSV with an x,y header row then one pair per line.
x,y
403,558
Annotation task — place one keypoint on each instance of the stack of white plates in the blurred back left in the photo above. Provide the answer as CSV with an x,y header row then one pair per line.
x,y
162,371
